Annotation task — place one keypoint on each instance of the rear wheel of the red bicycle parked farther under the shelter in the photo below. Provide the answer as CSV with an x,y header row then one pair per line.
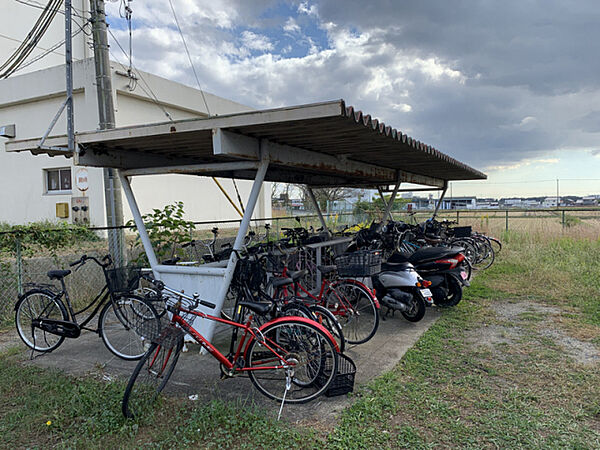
x,y
355,308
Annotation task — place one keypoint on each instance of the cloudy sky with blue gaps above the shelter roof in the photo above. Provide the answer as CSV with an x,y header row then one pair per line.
x,y
511,88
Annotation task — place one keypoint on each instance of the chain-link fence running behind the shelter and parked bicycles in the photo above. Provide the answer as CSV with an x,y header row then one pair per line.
x,y
22,263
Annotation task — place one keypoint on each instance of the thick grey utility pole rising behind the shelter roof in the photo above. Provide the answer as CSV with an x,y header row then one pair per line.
x,y
106,116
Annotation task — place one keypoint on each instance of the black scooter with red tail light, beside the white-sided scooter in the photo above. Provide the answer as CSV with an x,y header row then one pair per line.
x,y
445,267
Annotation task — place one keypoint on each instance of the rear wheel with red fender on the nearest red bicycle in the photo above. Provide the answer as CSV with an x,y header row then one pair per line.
x,y
308,349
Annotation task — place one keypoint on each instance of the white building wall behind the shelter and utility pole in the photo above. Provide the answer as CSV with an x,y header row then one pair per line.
x,y
30,101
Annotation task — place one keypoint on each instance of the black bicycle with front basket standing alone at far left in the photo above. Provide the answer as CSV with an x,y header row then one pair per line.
x,y
127,322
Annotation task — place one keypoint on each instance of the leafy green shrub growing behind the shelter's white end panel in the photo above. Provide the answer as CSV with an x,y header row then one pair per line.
x,y
167,229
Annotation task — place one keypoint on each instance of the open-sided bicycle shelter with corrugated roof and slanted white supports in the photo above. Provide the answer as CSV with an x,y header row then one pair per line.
x,y
318,145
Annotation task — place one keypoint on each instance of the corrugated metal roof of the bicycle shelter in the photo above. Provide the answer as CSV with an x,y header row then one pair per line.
x,y
328,129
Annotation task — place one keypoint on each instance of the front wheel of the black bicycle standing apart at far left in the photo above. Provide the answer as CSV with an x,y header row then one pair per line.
x,y
127,325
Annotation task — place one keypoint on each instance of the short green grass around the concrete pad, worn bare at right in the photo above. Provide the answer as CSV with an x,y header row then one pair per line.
x,y
490,372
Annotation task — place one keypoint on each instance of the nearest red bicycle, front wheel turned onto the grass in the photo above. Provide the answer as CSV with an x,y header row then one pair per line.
x,y
289,359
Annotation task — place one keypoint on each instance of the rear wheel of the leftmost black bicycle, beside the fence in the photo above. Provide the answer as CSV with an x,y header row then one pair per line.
x,y
35,304
